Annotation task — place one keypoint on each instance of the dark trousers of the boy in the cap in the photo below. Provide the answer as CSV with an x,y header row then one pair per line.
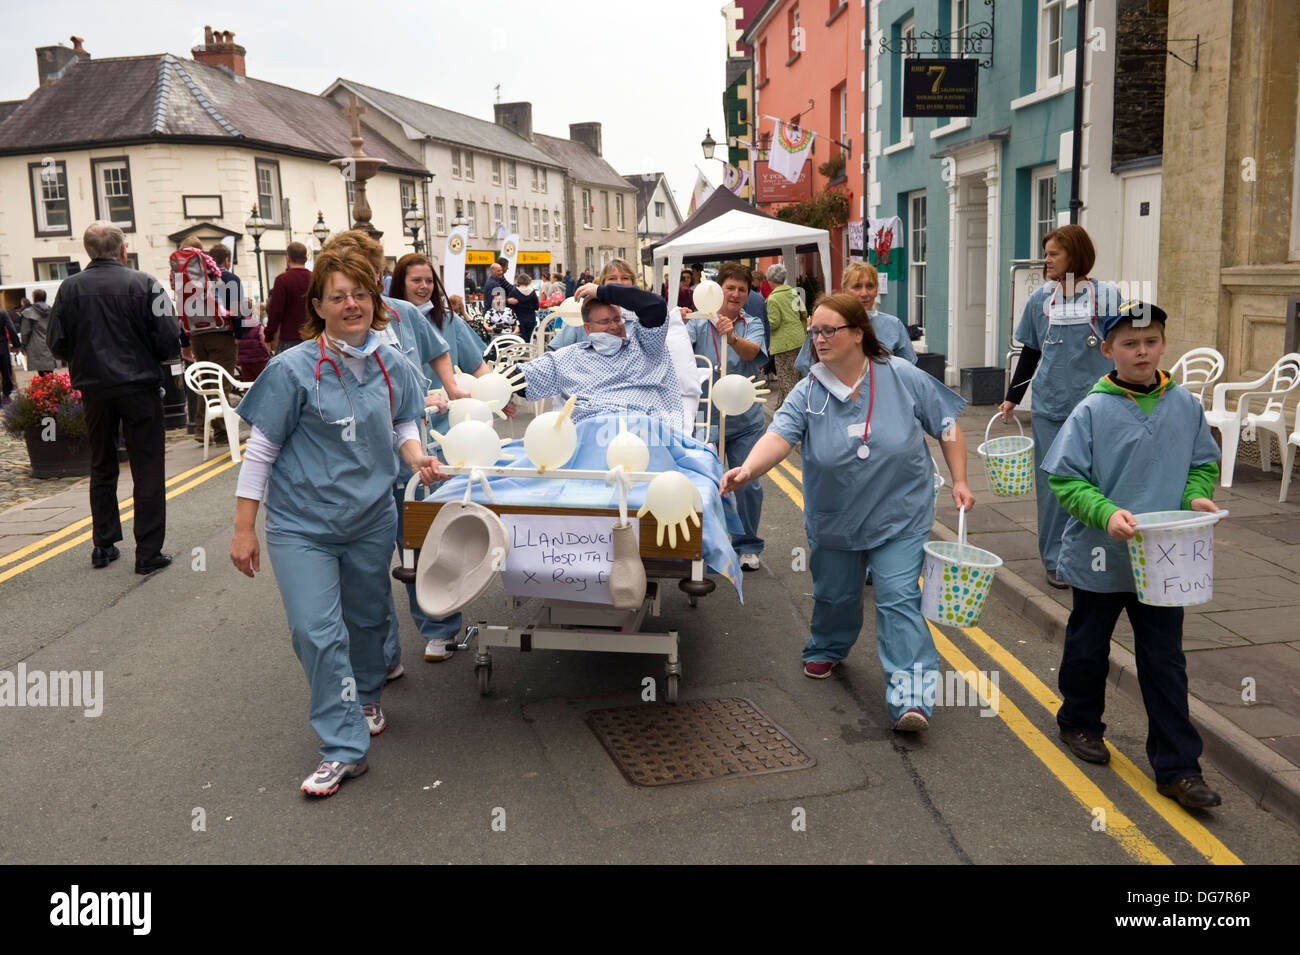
x,y
1173,745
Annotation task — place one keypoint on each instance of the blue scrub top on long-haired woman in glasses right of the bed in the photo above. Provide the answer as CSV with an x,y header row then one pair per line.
x,y
853,505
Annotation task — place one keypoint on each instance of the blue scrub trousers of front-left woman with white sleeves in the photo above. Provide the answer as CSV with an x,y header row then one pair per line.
x,y
337,601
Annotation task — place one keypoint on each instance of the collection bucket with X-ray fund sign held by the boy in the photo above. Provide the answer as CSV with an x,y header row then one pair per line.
x,y
1173,557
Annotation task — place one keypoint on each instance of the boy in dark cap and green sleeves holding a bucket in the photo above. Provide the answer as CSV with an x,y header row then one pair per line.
x,y
1137,444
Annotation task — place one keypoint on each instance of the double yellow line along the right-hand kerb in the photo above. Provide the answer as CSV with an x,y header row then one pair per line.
x,y
1117,824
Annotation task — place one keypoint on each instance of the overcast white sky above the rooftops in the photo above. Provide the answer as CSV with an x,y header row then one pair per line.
x,y
652,73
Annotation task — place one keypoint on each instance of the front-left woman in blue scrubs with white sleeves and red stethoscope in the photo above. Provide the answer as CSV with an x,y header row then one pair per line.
x,y
324,418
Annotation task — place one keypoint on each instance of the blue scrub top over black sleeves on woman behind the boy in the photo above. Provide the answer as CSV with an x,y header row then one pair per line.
x,y
1071,367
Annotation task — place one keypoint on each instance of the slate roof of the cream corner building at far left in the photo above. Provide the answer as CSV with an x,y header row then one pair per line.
x,y
159,98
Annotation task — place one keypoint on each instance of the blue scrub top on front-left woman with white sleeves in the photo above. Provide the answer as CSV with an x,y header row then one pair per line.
x,y
331,481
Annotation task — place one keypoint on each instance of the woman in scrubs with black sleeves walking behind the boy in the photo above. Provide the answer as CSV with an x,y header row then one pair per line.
x,y
1061,338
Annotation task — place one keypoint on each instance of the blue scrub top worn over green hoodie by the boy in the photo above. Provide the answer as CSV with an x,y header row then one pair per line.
x,y
1139,463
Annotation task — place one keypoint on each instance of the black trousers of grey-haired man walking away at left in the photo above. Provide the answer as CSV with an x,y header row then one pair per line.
x,y
140,415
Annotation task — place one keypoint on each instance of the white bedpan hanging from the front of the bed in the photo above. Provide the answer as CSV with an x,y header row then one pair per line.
x,y
465,549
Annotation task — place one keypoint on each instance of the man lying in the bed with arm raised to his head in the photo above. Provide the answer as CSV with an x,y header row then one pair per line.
x,y
619,367
